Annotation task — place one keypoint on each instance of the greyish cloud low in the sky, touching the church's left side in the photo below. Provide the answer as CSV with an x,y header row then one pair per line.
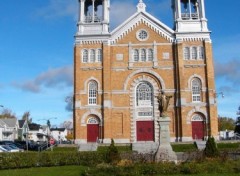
x,y
53,78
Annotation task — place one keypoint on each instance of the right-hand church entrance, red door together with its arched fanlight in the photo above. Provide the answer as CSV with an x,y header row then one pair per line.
x,y
197,128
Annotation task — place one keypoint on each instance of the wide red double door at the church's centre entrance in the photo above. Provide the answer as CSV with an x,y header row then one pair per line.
x,y
145,131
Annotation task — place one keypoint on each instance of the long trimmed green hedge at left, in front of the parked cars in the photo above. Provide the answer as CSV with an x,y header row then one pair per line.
x,y
48,159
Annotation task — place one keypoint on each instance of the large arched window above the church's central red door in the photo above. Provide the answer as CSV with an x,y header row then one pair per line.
x,y
144,94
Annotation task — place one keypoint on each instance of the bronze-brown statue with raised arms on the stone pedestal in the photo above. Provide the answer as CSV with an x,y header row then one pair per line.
x,y
163,101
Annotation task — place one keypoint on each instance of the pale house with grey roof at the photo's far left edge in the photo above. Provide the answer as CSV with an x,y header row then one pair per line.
x,y
9,129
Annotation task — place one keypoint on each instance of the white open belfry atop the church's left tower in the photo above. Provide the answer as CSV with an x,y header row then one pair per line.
x,y
93,17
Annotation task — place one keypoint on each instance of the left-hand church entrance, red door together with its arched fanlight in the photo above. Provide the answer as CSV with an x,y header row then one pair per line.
x,y
92,130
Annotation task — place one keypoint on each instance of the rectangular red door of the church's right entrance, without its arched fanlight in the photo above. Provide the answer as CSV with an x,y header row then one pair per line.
x,y
198,130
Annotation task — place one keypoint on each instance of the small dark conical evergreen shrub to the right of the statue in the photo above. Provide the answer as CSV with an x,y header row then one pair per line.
x,y
211,148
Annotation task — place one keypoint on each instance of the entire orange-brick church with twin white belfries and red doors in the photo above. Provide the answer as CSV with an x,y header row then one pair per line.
x,y
119,74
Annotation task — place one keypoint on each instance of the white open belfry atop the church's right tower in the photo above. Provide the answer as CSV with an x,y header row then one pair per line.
x,y
189,16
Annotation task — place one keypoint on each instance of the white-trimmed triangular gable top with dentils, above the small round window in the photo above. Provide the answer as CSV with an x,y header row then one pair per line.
x,y
142,20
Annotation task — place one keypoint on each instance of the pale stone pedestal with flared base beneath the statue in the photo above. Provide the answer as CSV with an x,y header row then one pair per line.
x,y
165,152
